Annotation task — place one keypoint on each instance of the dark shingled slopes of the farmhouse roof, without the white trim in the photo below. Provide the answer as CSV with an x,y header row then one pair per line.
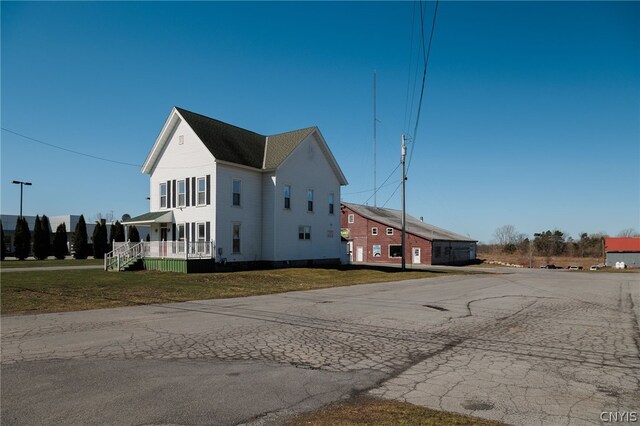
x,y
239,146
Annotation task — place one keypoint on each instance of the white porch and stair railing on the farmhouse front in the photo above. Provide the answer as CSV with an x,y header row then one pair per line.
x,y
126,253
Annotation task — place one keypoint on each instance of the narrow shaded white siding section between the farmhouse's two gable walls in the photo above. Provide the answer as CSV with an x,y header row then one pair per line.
x,y
248,214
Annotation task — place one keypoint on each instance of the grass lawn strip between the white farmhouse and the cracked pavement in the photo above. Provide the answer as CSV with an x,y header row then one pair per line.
x,y
72,290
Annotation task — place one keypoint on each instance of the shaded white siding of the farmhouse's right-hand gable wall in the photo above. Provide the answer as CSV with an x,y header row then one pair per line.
x,y
307,168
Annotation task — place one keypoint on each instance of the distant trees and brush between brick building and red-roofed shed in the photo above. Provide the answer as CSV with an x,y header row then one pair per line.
x,y
550,242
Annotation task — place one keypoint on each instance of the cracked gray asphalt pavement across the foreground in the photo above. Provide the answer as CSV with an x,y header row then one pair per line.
x,y
528,347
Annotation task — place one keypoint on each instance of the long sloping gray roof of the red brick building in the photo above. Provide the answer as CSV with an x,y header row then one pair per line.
x,y
393,219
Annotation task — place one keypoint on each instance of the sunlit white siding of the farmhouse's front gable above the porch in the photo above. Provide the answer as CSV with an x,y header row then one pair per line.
x,y
181,161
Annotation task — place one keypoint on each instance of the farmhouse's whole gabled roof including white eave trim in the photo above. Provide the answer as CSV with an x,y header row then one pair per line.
x,y
236,145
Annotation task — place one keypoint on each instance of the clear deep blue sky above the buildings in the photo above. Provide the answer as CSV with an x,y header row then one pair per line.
x,y
531,112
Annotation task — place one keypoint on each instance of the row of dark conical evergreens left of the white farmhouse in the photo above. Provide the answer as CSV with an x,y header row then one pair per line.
x,y
42,247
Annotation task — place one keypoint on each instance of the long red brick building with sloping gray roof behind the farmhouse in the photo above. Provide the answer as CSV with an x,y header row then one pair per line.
x,y
374,235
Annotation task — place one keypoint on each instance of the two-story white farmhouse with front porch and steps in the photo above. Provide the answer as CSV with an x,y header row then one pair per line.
x,y
222,194
